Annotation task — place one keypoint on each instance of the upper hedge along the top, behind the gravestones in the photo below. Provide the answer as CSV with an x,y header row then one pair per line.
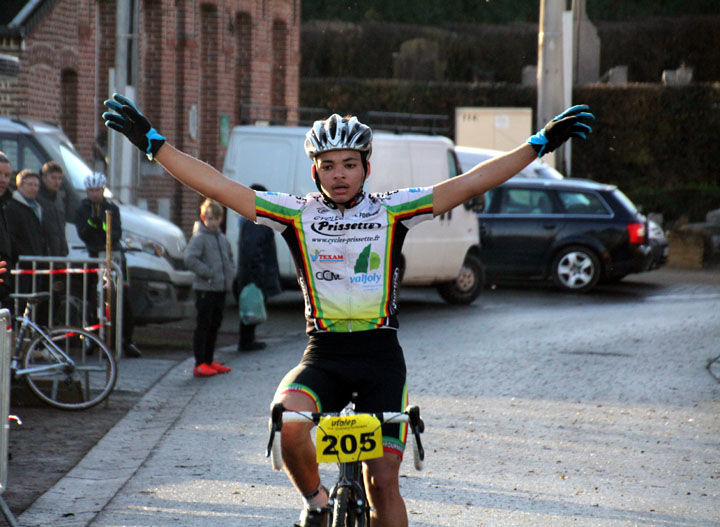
x,y
499,52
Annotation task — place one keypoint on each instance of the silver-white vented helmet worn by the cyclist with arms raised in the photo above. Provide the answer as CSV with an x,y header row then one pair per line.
x,y
338,133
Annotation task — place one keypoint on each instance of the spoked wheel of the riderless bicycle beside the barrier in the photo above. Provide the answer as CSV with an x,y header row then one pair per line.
x,y
82,380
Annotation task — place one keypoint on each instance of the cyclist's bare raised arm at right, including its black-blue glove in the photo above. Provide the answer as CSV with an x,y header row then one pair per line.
x,y
493,172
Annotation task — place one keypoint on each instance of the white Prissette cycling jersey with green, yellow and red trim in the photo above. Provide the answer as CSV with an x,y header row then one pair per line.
x,y
348,264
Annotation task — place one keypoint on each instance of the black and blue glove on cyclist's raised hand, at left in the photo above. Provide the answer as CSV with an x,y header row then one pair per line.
x,y
134,125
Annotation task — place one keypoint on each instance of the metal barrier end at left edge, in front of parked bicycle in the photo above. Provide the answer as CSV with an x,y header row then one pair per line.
x,y
5,353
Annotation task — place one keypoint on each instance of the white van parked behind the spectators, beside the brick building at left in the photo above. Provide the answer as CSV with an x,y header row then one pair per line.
x,y
161,287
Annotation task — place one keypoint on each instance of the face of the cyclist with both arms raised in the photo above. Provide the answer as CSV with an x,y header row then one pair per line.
x,y
341,174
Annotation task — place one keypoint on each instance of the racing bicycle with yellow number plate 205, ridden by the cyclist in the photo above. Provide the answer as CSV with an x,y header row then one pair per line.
x,y
347,438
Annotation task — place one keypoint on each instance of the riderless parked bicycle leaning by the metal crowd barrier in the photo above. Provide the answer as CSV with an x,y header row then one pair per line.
x,y
66,367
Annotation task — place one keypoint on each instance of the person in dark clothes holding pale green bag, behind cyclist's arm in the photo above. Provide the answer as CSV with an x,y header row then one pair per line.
x,y
257,262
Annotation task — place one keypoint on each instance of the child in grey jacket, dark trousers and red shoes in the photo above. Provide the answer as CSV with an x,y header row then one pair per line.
x,y
208,256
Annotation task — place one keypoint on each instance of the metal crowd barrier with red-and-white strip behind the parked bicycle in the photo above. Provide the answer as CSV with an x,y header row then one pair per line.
x,y
78,293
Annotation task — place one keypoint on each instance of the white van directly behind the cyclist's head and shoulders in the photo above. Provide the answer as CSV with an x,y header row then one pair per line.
x,y
442,252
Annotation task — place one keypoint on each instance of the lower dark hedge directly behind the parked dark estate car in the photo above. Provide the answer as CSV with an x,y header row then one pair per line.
x,y
658,144
